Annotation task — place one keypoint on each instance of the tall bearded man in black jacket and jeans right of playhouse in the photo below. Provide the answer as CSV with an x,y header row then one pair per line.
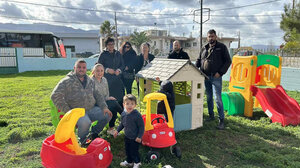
x,y
214,60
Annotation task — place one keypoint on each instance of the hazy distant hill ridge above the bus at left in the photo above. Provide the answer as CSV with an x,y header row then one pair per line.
x,y
43,27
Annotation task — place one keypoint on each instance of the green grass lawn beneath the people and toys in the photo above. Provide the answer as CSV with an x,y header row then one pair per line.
x,y
246,142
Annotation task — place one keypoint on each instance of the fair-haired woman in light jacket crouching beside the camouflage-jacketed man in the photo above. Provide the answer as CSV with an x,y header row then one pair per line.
x,y
101,87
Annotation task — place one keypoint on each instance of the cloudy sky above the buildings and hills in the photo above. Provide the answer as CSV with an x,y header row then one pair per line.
x,y
256,21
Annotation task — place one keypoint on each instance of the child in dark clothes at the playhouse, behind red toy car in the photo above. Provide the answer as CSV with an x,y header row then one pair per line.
x,y
166,87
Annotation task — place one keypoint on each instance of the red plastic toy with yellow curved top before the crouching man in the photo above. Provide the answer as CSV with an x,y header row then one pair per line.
x,y
62,148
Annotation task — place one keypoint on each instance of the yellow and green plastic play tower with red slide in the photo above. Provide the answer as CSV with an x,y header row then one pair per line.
x,y
259,76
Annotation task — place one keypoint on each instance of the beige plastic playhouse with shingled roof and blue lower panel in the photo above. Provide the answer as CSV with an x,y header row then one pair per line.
x,y
188,85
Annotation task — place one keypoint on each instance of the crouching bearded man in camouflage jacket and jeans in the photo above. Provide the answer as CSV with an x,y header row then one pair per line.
x,y
77,90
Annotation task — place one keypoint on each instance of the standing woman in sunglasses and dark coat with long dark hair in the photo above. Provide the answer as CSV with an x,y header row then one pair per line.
x,y
129,58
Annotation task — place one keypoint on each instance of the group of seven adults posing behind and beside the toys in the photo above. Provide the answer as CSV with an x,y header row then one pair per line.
x,y
102,94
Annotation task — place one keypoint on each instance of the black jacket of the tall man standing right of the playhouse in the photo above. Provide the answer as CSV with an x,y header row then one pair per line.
x,y
218,61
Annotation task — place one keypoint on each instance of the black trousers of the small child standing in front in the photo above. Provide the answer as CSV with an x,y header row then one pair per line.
x,y
132,150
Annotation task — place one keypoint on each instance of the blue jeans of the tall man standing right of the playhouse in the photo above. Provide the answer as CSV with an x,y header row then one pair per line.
x,y
214,84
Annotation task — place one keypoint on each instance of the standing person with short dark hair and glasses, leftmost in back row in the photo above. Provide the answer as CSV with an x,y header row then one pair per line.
x,y
113,63
